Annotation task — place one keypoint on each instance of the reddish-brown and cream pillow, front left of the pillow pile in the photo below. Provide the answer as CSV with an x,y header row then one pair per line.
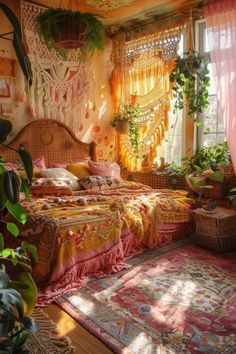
x,y
51,186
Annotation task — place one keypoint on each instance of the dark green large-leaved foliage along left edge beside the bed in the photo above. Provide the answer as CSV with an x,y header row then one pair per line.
x,y
17,295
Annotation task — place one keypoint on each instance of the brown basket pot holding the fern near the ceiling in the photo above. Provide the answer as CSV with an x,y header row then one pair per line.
x,y
69,34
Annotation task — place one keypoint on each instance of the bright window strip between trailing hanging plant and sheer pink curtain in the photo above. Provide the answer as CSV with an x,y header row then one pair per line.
x,y
211,118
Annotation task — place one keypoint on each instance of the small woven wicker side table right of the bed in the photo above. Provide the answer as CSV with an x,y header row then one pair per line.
x,y
216,229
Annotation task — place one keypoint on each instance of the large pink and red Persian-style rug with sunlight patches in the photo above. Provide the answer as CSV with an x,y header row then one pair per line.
x,y
182,301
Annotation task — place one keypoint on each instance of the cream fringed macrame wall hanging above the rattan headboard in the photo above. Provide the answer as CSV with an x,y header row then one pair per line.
x,y
61,88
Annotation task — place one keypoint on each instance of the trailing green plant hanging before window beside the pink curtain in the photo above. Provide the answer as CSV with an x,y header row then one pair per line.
x,y
191,78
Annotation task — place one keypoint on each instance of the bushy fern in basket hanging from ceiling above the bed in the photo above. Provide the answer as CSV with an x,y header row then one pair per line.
x,y
66,29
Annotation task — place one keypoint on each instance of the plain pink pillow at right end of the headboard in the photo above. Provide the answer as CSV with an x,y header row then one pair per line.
x,y
104,169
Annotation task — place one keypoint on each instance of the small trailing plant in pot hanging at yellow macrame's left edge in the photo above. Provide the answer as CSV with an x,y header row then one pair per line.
x,y
125,123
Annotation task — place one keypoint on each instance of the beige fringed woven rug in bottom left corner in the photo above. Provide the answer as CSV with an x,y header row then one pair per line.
x,y
47,340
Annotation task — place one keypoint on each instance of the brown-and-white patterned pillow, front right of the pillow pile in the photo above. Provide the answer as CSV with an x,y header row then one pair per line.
x,y
98,183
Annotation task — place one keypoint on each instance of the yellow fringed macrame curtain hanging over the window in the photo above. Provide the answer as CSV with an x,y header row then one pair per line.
x,y
143,63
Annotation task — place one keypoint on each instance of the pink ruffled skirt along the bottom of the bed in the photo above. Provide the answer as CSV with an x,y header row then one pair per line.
x,y
106,262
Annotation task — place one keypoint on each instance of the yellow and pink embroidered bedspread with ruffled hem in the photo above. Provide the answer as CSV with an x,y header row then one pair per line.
x,y
91,233
